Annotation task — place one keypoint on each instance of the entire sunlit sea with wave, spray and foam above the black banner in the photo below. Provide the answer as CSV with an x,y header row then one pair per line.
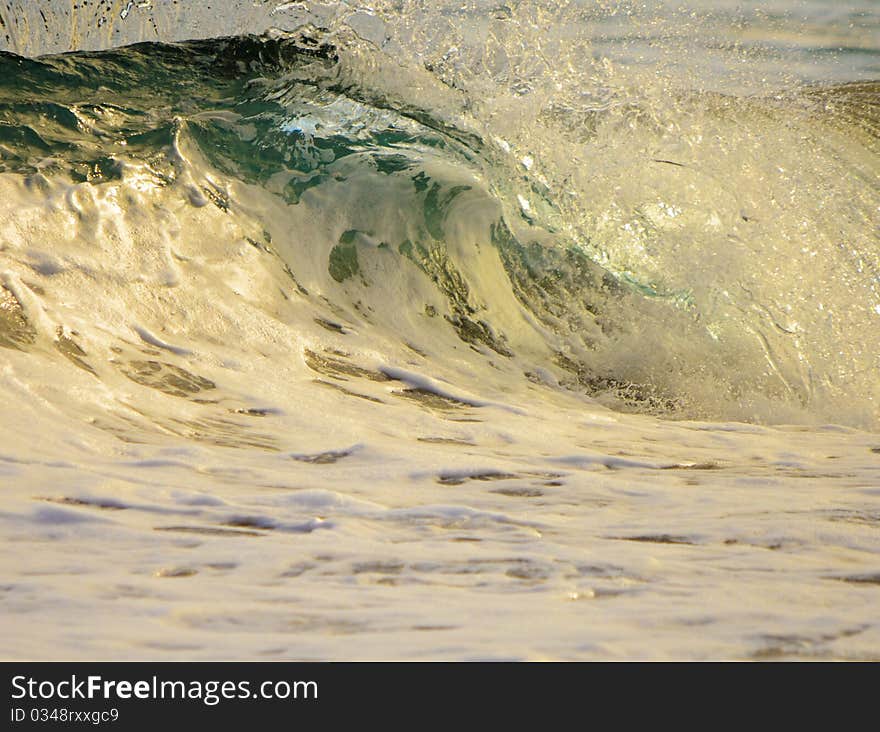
x,y
506,330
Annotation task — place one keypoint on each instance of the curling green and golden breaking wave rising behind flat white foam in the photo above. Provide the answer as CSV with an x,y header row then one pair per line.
x,y
171,209
